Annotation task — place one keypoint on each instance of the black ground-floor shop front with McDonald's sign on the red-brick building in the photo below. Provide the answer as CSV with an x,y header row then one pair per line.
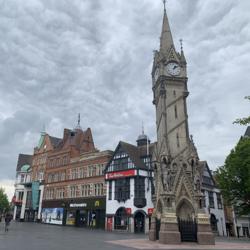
x,y
79,212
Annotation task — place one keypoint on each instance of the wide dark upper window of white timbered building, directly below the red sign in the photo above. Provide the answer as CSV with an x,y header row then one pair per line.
x,y
122,189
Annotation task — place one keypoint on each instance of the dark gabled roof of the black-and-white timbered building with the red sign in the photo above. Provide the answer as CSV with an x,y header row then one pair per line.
x,y
135,153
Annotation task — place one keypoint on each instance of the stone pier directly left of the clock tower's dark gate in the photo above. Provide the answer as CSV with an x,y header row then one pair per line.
x,y
169,232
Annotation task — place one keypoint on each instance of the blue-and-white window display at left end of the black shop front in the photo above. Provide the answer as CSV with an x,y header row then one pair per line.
x,y
52,215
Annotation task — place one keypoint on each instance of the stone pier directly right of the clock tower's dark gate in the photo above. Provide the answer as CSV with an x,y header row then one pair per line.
x,y
204,232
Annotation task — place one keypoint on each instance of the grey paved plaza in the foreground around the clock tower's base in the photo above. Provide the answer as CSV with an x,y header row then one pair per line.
x,y
32,236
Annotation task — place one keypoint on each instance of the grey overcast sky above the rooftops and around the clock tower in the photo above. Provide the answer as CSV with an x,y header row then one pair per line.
x,y
94,57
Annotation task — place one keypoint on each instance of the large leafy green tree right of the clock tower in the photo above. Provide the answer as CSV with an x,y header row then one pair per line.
x,y
234,177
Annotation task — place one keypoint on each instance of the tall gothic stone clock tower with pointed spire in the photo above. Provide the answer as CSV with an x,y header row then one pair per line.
x,y
179,204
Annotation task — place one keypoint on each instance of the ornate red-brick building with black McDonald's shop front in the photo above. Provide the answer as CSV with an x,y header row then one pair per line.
x,y
74,182
